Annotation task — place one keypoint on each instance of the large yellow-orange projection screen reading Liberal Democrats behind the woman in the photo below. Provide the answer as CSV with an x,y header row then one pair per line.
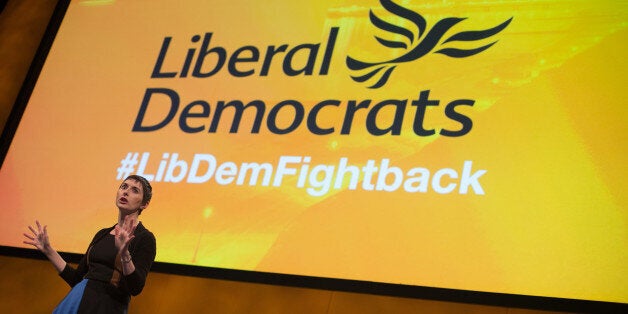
x,y
472,146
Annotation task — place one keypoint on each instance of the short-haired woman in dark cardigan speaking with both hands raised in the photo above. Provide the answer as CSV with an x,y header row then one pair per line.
x,y
116,262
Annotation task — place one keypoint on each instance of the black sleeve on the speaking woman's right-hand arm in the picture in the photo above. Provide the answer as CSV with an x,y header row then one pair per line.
x,y
143,255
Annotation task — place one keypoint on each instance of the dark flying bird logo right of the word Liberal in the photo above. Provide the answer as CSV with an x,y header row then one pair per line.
x,y
417,45
